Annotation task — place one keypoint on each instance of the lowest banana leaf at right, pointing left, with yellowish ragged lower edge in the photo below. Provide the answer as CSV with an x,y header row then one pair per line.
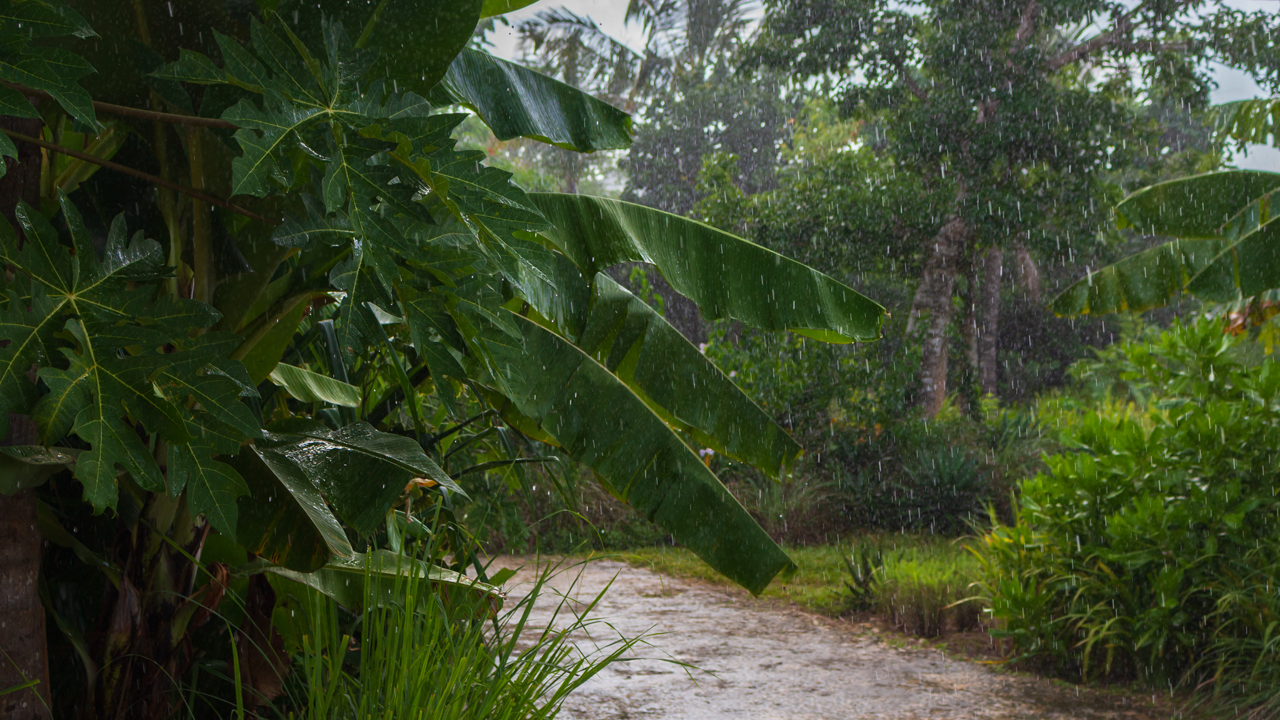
x,y
1144,281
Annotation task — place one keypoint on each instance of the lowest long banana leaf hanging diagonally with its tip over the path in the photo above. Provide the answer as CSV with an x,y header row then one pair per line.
x,y
602,425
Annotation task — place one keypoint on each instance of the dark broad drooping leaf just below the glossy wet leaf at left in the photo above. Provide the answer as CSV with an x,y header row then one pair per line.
x,y
285,518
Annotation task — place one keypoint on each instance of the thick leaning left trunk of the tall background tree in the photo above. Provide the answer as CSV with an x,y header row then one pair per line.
x,y
934,302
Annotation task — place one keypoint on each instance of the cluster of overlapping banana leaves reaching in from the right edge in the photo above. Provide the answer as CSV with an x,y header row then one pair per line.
x,y
1227,245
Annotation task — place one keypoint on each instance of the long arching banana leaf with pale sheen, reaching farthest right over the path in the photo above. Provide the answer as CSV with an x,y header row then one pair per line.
x,y
726,276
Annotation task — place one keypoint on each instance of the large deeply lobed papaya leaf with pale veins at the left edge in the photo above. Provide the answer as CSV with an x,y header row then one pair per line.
x,y
113,357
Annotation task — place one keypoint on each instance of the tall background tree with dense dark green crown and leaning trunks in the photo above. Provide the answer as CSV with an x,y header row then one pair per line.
x,y
1013,113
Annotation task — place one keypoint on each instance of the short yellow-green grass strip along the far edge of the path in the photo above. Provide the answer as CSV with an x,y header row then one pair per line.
x,y
917,571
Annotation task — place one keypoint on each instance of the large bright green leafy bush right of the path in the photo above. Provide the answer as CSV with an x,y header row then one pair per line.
x,y
1149,550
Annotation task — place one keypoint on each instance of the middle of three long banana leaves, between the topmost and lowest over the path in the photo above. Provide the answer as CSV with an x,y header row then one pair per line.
x,y
679,382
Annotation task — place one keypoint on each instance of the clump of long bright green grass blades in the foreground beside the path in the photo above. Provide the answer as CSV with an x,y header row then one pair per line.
x,y
392,660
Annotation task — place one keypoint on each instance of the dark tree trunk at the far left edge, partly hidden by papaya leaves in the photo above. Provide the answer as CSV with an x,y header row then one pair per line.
x,y
22,617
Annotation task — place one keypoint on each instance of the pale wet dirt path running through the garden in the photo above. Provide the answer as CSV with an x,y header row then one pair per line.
x,y
767,663
